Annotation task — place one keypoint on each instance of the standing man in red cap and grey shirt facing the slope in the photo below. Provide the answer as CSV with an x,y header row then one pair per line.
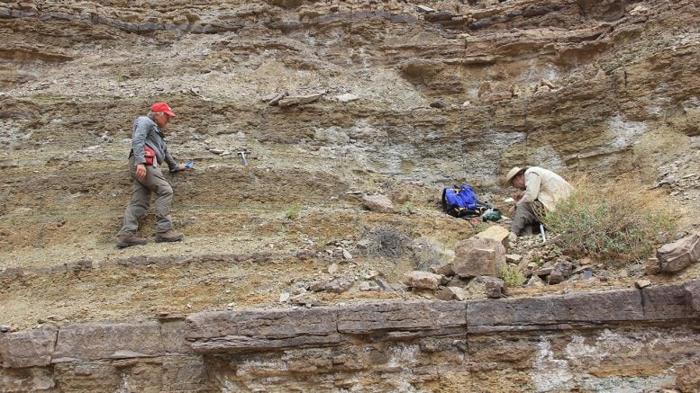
x,y
148,151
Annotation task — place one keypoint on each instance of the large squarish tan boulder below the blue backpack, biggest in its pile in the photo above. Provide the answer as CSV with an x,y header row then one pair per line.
x,y
479,257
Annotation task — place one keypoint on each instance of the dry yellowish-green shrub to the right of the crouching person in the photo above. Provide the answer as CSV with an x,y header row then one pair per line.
x,y
616,221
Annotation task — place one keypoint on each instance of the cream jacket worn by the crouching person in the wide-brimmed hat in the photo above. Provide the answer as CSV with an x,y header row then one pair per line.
x,y
545,186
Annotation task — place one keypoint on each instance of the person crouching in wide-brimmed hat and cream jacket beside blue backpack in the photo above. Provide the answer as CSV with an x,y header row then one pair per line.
x,y
543,190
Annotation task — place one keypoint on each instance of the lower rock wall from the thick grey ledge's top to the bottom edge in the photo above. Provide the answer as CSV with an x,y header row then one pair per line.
x,y
539,344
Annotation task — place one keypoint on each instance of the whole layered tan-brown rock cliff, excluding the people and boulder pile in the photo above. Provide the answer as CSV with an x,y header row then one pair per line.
x,y
446,90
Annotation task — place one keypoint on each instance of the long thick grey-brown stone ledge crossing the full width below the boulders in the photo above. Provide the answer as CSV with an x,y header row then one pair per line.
x,y
271,330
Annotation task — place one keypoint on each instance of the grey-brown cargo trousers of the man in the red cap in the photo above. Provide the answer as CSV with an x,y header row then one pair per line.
x,y
141,197
